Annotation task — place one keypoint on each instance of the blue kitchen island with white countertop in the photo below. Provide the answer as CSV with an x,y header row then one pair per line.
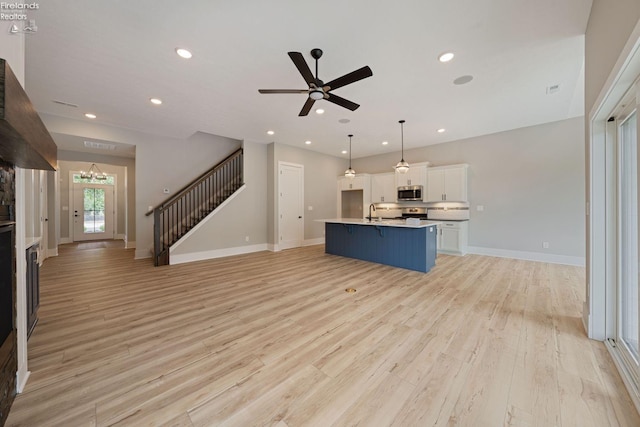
x,y
391,242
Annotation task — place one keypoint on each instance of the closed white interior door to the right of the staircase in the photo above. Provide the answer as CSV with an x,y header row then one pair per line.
x,y
291,205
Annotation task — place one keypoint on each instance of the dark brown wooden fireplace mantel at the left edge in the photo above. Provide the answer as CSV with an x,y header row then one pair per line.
x,y
24,140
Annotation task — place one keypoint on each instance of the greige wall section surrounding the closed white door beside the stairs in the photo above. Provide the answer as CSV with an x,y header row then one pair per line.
x,y
321,174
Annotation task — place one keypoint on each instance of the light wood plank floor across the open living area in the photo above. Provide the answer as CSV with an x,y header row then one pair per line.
x,y
273,339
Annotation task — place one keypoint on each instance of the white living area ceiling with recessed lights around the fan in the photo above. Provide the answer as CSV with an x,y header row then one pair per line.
x,y
110,57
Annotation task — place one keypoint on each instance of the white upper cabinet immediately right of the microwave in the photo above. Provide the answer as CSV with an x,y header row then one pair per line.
x,y
447,183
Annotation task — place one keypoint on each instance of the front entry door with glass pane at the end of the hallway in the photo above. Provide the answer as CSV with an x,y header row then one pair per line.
x,y
93,212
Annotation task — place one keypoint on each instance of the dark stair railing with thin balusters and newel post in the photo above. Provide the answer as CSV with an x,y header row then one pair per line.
x,y
180,213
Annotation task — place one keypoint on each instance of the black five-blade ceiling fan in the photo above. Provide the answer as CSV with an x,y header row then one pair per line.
x,y
317,88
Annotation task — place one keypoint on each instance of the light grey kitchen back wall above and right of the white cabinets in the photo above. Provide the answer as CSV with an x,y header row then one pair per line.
x,y
530,182
